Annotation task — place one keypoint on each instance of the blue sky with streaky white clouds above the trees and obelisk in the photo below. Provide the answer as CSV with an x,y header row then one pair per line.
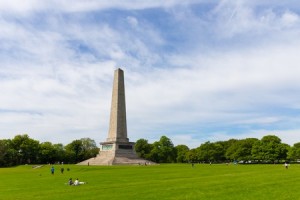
x,y
195,70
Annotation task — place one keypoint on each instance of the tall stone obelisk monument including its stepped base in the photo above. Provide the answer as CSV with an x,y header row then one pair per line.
x,y
117,149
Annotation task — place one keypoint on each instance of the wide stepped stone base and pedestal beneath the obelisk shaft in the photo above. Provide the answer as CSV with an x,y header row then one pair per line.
x,y
116,153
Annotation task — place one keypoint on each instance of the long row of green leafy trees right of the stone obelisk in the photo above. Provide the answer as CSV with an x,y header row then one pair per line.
x,y
269,149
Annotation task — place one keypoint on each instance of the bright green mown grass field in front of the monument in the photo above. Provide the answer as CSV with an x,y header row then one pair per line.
x,y
167,181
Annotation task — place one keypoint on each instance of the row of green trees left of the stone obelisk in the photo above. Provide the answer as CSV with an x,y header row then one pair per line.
x,y
24,150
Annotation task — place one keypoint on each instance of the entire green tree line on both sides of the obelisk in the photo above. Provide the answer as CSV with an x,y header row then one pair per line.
x,y
24,150
